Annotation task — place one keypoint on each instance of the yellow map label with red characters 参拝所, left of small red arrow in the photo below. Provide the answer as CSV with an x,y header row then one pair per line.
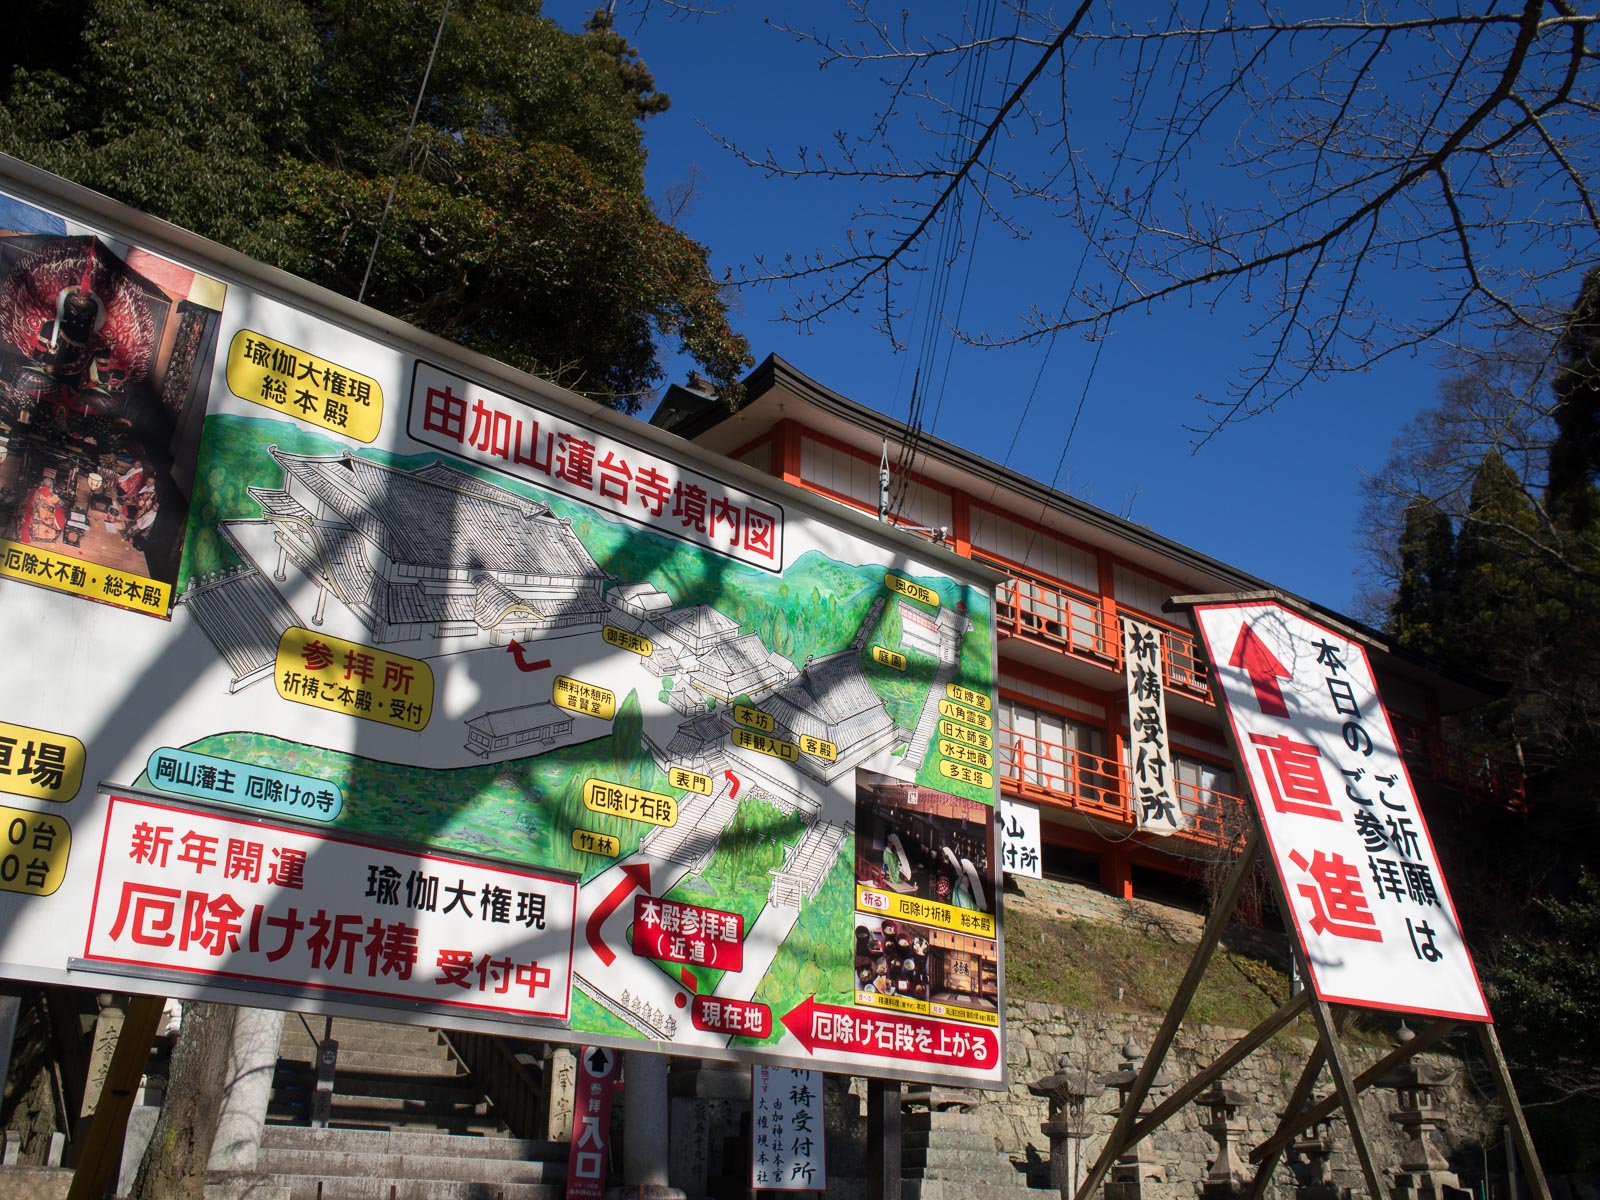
x,y
329,673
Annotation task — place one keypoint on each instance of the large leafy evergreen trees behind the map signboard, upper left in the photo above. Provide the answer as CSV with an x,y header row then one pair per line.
x,y
519,223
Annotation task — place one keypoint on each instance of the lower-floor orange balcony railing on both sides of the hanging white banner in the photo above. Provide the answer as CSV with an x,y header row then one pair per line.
x,y
1097,786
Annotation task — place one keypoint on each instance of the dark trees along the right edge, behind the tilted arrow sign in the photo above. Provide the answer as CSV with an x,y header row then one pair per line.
x,y
1498,570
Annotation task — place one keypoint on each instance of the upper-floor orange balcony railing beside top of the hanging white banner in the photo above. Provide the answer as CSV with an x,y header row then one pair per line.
x,y
1079,625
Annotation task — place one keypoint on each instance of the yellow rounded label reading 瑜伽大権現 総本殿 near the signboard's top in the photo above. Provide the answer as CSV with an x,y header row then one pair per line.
x,y
300,385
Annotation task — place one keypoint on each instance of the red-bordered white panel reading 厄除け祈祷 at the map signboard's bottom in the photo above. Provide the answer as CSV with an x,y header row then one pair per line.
x,y
260,903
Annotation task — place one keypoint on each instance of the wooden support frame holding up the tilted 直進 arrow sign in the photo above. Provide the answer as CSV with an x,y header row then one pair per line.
x,y
1329,1047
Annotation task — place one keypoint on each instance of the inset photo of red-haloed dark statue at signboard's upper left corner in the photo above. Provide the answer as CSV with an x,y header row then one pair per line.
x,y
105,372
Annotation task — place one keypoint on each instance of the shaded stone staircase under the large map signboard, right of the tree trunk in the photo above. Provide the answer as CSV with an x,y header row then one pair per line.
x,y
407,1124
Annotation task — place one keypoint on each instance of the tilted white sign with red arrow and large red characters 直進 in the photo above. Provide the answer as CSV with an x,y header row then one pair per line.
x,y
1340,814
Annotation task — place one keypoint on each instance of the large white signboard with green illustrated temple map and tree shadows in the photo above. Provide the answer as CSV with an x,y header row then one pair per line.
x,y
566,726
